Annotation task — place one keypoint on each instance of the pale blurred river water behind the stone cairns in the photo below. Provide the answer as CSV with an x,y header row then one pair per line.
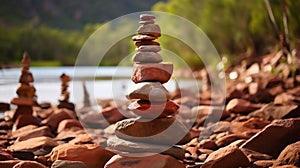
x,y
101,82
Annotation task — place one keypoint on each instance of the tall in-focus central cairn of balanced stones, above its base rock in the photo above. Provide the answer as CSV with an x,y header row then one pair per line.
x,y
149,133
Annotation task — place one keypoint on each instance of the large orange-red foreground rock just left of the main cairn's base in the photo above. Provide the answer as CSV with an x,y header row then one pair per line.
x,y
92,155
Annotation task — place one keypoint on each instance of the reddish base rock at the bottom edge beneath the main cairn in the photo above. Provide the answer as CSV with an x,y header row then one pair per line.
x,y
154,161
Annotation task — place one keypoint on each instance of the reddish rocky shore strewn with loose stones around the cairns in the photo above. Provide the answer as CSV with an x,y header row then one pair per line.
x,y
259,127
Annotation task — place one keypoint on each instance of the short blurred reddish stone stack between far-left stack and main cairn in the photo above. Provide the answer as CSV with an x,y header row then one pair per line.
x,y
65,94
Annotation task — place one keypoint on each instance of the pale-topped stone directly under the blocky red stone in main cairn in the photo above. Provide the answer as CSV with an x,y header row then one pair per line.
x,y
153,91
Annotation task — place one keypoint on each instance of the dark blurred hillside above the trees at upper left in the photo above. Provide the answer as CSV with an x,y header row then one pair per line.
x,y
68,14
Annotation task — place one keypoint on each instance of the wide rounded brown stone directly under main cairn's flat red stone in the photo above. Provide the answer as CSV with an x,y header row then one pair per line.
x,y
167,131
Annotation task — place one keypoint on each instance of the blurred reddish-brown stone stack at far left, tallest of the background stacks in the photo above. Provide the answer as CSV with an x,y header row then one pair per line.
x,y
26,92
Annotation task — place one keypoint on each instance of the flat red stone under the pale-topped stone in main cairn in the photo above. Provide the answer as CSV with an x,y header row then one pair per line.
x,y
147,109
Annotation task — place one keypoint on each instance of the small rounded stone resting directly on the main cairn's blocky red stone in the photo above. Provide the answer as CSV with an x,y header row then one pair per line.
x,y
147,57
